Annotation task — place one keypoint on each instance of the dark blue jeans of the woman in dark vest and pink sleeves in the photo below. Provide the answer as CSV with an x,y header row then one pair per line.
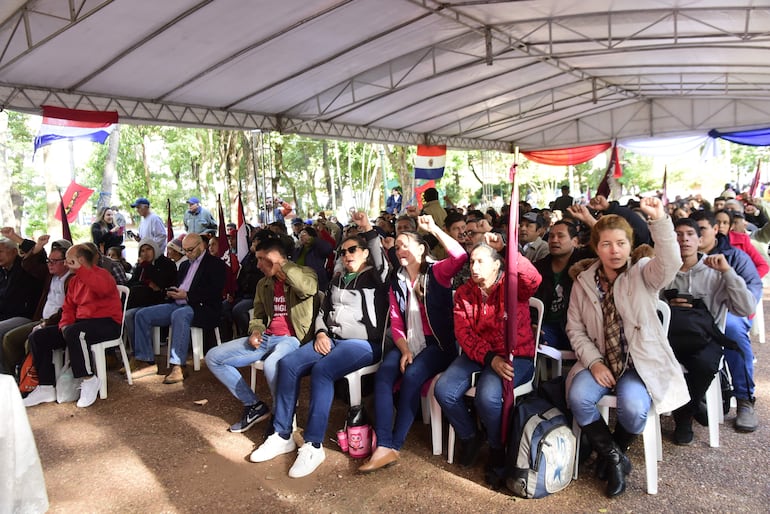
x,y
429,362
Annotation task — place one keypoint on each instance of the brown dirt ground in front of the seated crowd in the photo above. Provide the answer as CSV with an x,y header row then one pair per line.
x,y
150,448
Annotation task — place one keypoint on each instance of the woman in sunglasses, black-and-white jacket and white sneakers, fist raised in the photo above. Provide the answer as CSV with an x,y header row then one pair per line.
x,y
348,336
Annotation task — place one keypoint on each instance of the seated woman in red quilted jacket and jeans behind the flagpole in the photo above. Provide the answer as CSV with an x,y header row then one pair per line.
x,y
479,317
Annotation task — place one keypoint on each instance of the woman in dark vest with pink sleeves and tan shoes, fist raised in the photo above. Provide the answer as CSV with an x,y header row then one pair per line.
x,y
422,327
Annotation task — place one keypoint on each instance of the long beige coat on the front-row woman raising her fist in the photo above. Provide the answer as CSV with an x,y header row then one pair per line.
x,y
636,296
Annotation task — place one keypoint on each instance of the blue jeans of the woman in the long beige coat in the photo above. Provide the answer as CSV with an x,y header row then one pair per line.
x,y
633,400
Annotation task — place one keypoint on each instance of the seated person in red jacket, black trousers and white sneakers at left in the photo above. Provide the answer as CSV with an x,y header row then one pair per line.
x,y
92,306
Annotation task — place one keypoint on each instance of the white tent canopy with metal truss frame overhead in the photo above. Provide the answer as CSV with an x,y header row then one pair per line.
x,y
467,73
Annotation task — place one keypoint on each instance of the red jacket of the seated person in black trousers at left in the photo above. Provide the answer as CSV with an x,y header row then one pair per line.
x,y
91,293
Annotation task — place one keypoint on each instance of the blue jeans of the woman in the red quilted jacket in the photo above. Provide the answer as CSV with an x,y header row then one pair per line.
x,y
456,380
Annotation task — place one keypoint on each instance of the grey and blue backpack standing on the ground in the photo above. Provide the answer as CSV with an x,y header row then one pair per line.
x,y
541,449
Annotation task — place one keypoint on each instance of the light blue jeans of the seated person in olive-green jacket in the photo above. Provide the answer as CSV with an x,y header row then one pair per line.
x,y
224,361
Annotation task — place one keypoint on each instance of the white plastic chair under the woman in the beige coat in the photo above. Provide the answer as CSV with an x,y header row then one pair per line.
x,y
653,444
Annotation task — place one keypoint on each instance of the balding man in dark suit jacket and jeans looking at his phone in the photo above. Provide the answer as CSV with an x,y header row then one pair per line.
x,y
196,302
